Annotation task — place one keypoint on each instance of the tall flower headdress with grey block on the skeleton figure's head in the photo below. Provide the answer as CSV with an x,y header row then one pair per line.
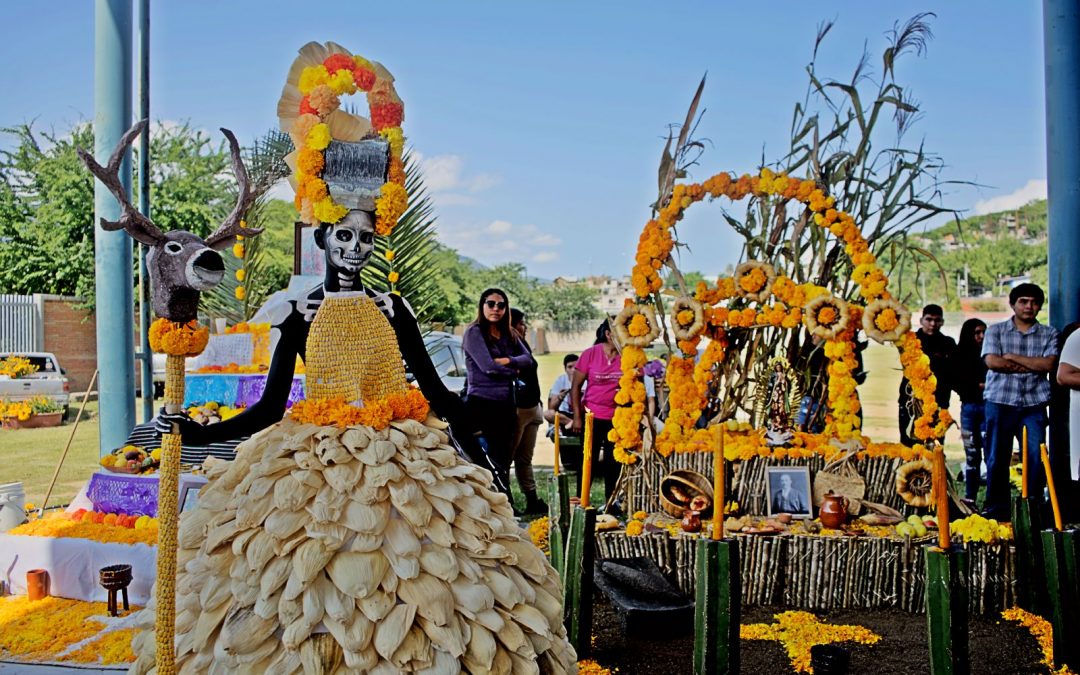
x,y
344,161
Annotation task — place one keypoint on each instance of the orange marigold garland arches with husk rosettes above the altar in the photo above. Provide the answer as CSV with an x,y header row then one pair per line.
x,y
772,301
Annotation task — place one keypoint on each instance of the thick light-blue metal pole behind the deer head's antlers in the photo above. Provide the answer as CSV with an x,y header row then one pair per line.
x,y
113,251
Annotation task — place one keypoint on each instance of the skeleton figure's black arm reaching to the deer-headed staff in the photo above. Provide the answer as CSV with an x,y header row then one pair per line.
x,y
272,406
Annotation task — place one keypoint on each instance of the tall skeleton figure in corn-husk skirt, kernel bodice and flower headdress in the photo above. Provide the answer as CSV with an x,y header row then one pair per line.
x,y
352,534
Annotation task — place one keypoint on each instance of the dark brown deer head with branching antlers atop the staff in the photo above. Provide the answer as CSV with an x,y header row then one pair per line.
x,y
182,265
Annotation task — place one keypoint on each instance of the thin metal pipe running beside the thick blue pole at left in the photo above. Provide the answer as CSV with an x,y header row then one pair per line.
x,y
146,356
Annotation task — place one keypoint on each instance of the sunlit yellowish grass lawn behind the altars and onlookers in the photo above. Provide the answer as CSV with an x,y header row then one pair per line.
x,y
32,455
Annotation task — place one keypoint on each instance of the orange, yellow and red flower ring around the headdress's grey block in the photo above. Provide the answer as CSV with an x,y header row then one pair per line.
x,y
310,113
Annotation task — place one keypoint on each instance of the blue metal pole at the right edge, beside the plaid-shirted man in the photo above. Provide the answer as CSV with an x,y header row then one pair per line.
x,y
1061,28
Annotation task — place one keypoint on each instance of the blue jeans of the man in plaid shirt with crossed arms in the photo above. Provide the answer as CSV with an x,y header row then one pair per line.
x,y
1004,424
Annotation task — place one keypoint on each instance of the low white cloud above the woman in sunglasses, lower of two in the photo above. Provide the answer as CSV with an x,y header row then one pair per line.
x,y
502,241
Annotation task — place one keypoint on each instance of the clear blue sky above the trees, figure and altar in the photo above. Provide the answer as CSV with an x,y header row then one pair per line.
x,y
542,125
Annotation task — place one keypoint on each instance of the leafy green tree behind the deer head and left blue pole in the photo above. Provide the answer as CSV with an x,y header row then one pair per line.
x,y
47,202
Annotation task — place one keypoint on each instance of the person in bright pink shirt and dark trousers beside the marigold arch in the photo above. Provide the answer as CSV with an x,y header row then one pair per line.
x,y
601,367
